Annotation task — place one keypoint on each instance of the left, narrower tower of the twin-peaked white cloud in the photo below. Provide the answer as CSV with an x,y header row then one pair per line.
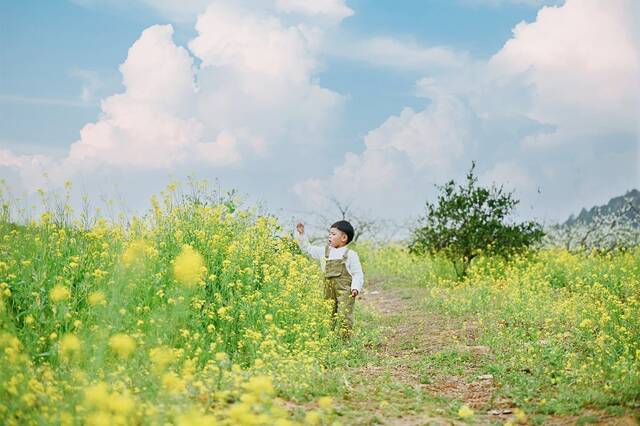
x,y
148,125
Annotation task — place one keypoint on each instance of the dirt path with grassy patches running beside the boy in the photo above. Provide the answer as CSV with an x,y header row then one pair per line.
x,y
424,369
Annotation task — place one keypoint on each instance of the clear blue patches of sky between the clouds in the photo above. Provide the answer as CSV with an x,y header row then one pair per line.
x,y
46,46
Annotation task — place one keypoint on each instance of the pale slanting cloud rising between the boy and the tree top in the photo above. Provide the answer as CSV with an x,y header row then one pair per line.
x,y
405,155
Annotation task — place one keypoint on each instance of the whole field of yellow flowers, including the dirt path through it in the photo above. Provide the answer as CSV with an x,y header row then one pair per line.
x,y
202,312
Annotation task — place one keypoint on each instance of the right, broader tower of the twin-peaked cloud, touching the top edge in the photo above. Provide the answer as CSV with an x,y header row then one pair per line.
x,y
257,77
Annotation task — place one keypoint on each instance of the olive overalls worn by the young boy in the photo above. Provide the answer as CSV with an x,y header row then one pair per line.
x,y
337,287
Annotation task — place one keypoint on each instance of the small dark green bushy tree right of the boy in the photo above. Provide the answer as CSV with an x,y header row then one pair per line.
x,y
470,219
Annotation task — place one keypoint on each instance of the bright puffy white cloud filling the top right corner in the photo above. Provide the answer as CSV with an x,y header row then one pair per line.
x,y
582,61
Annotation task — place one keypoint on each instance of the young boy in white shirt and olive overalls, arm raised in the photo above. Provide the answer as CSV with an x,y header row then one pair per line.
x,y
342,271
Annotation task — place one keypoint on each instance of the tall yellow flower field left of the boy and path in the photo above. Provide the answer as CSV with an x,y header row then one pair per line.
x,y
194,314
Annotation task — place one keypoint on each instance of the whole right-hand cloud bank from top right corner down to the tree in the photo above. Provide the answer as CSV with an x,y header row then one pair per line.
x,y
553,114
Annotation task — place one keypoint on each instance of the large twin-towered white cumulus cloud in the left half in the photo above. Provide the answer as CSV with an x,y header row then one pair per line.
x,y
245,89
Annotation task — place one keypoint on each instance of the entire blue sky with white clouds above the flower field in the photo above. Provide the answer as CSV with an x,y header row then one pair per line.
x,y
299,104
